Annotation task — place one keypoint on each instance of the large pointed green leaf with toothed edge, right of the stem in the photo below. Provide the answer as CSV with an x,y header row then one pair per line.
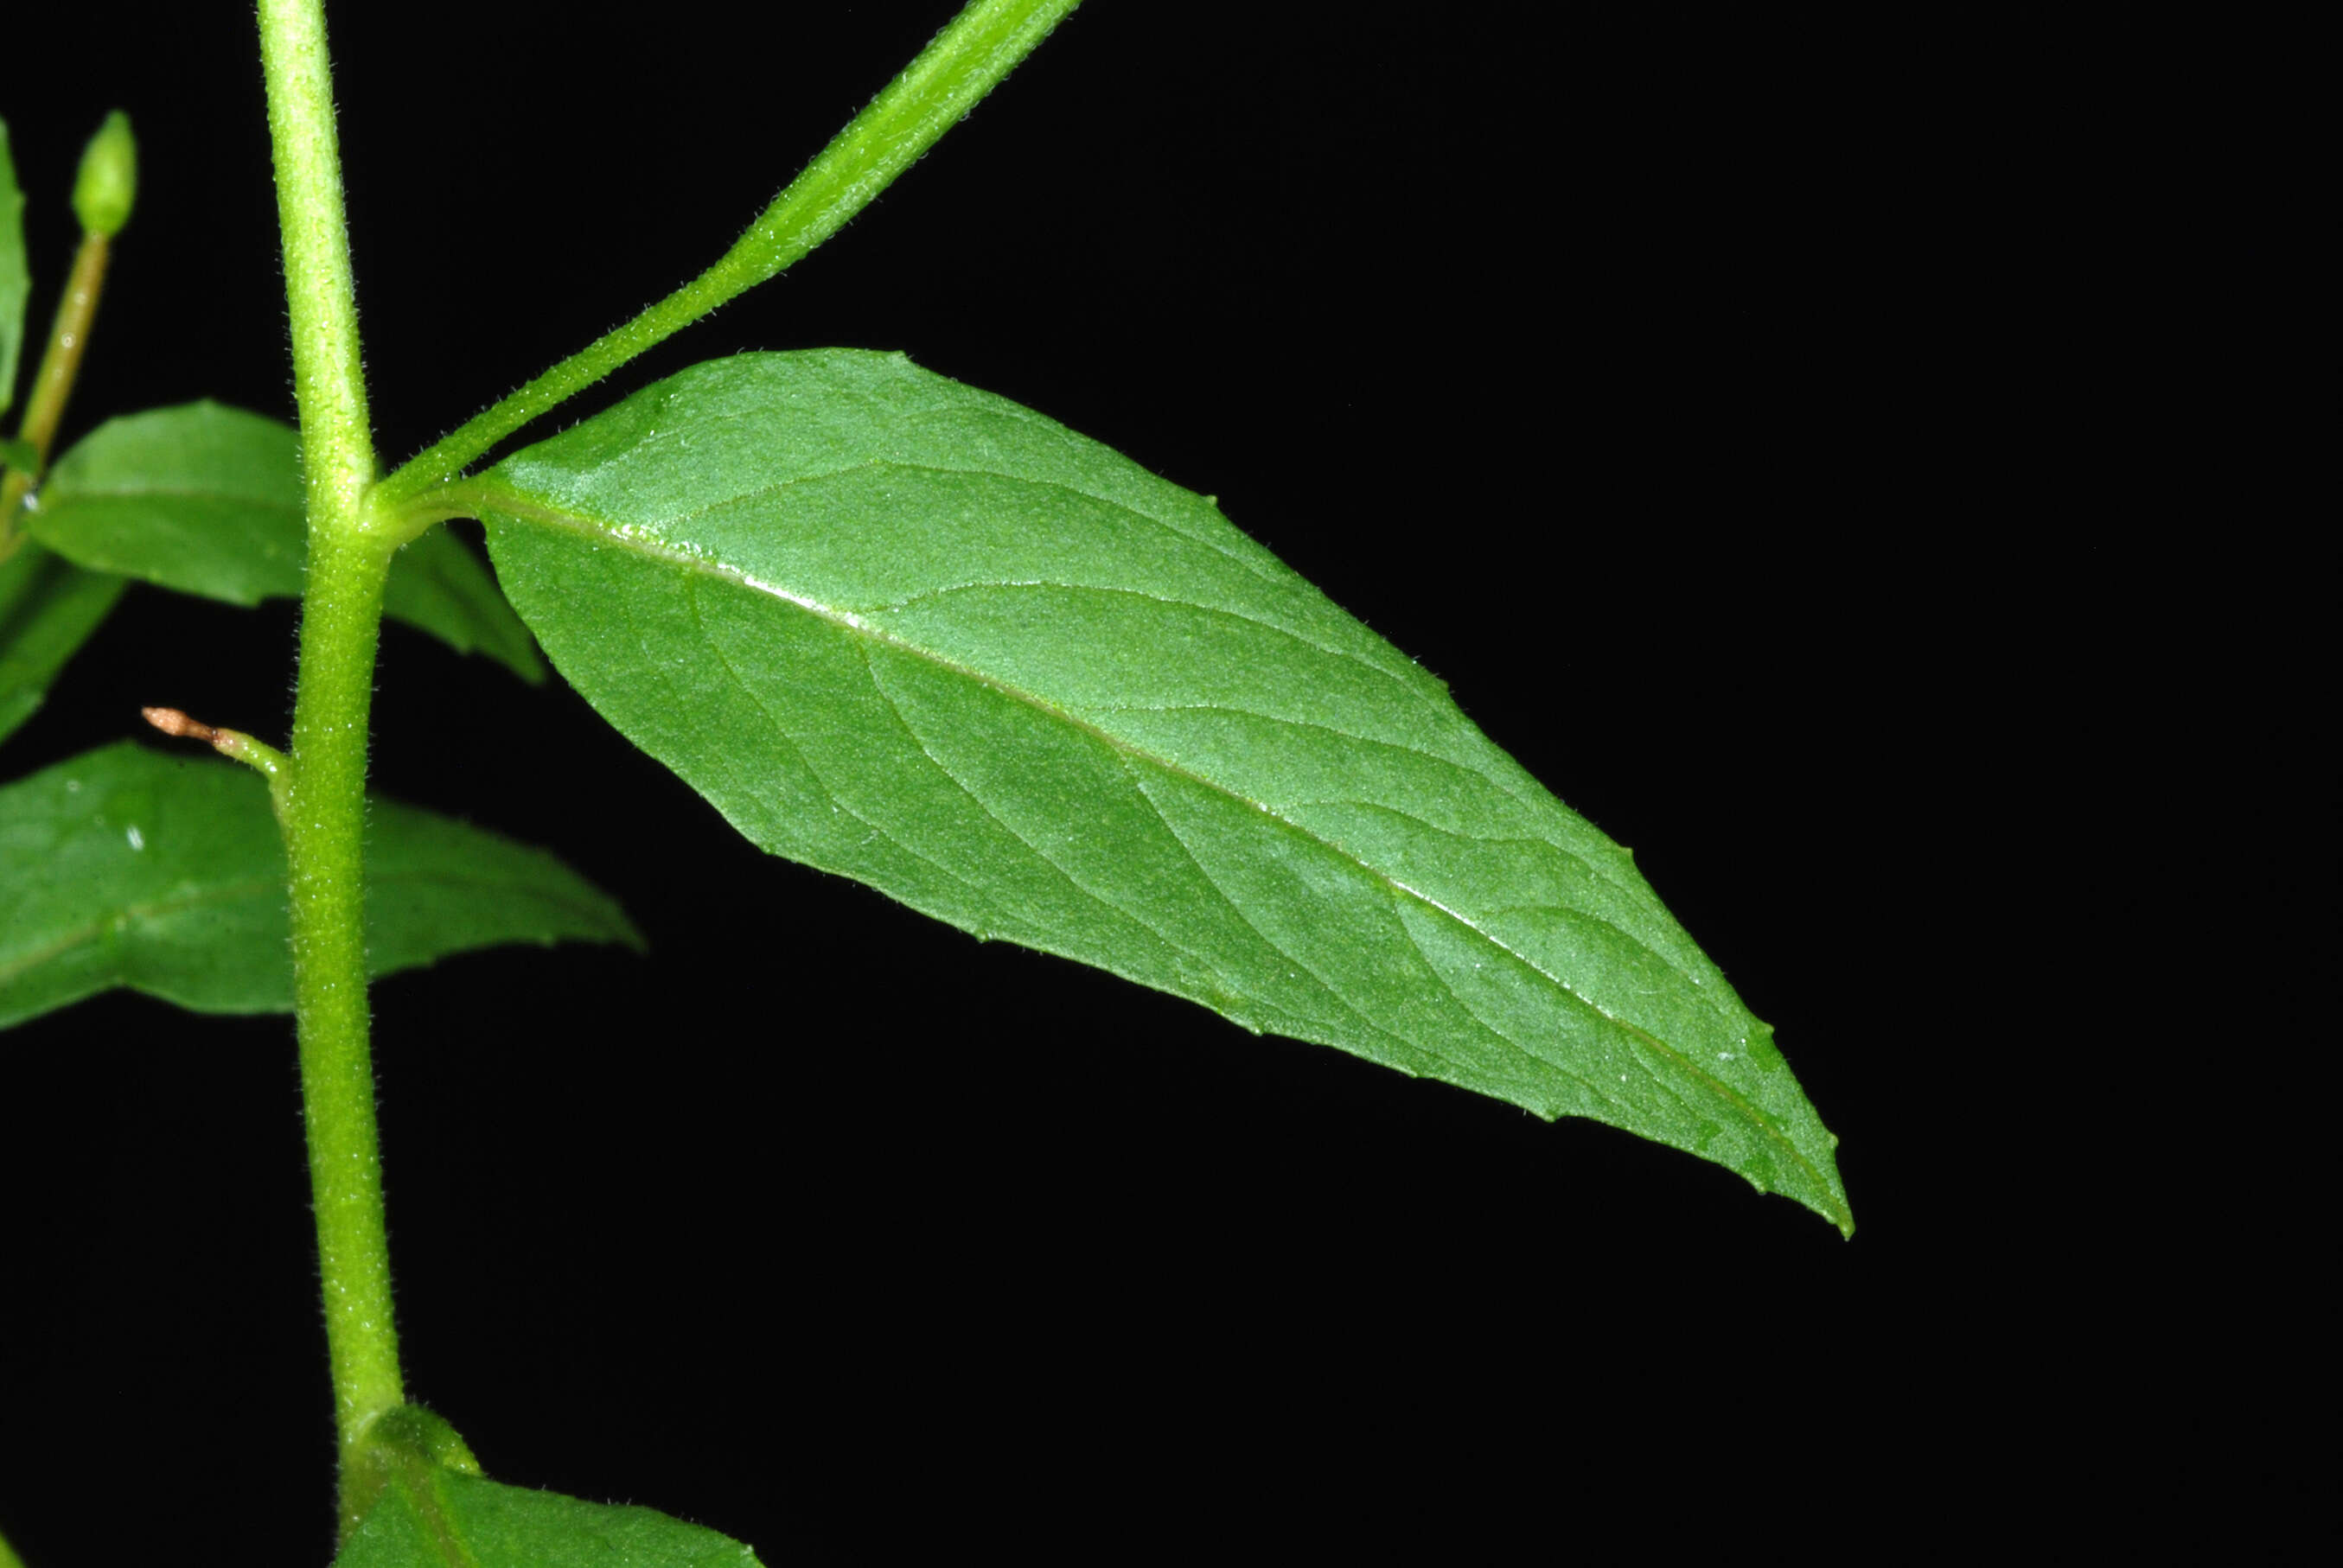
x,y
915,634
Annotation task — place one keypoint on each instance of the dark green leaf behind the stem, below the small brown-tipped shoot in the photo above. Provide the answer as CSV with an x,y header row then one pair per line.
x,y
128,868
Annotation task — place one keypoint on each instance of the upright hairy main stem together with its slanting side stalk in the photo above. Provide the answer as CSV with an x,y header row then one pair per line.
x,y
355,526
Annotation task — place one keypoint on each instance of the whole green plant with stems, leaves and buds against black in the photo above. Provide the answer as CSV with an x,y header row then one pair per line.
x,y
889,627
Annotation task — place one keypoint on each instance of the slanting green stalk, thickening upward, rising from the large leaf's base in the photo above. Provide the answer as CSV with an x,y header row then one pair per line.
x,y
934,93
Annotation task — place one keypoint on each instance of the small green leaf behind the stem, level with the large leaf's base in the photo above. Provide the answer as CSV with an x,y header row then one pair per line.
x,y
207,500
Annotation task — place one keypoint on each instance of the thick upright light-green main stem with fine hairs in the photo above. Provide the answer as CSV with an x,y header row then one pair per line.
x,y
325,805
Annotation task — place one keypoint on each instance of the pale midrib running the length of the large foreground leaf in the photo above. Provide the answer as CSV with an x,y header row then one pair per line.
x,y
498,496
